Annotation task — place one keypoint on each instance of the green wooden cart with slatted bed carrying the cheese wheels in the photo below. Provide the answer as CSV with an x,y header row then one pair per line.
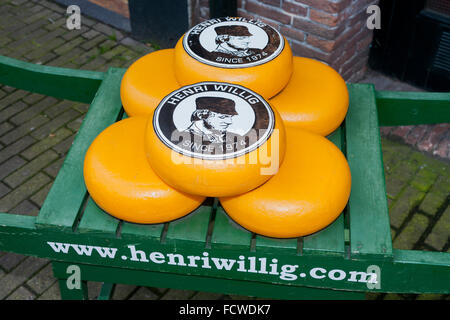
x,y
206,250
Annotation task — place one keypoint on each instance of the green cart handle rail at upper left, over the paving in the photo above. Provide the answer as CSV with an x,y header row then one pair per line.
x,y
62,83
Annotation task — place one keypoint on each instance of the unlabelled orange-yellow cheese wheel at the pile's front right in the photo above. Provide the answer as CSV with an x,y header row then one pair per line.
x,y
308,193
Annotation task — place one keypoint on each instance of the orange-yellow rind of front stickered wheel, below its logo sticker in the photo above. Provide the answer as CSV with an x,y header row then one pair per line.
x,y
214,178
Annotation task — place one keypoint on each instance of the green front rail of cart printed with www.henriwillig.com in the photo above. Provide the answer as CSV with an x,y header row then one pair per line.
x,y
408,272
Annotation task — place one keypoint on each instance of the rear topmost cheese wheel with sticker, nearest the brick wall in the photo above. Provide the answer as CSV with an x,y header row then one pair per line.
x,y
236,50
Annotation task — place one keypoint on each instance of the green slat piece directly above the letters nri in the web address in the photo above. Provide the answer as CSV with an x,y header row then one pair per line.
x,y
193,227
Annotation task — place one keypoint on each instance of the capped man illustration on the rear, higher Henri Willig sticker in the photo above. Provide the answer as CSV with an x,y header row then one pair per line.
x,y
234,40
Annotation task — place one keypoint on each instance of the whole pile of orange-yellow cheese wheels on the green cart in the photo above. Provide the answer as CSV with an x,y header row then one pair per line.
x,y
227,113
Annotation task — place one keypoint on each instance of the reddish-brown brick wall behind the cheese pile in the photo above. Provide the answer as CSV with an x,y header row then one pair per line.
x,y
332,31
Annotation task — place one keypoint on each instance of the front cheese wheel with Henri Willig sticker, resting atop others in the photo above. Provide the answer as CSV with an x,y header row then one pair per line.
x,y
215,139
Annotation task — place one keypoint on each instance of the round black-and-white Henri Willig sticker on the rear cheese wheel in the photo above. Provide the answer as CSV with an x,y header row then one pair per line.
x,y
233,42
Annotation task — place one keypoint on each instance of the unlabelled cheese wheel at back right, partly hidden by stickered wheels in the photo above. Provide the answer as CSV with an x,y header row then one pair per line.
x,y
315,99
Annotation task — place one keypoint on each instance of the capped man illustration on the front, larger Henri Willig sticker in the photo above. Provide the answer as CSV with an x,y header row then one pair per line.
x,y
211,118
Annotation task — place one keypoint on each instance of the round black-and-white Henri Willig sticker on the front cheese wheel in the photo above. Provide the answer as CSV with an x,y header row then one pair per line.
x,y
213,120
